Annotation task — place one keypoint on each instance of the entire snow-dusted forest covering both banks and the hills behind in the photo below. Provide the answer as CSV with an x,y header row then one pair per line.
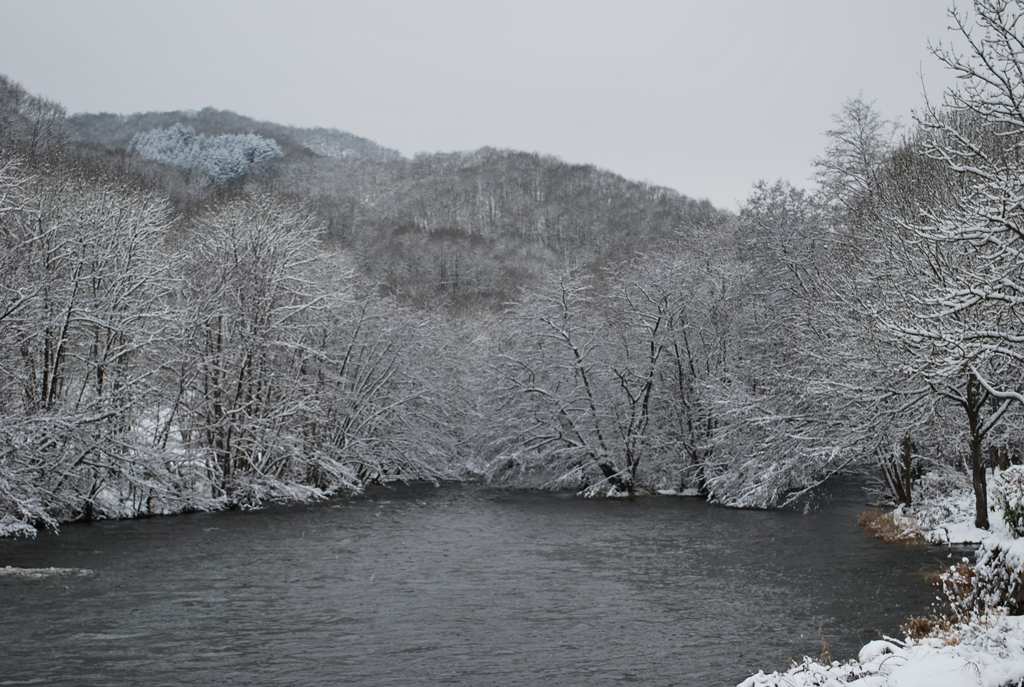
x,y
199,311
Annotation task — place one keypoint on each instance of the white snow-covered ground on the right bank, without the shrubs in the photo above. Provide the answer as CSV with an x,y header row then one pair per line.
x,y
980,650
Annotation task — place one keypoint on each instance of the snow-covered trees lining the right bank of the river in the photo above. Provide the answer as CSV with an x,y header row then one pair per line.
x,y
873,324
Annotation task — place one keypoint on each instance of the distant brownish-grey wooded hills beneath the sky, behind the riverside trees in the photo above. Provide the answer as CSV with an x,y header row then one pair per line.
x,y
471,229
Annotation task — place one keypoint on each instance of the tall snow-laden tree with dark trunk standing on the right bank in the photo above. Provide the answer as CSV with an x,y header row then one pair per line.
x,y
951,225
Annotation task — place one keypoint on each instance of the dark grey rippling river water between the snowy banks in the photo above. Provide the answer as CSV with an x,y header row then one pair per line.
x,y
422,585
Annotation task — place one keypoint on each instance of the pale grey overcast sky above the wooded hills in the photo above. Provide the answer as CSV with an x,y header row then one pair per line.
x,y
704,97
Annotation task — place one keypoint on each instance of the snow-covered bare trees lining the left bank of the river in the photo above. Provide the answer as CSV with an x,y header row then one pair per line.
x,y
155,363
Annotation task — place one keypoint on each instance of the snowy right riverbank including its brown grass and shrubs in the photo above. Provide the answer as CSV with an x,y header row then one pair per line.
x,y
968,647
